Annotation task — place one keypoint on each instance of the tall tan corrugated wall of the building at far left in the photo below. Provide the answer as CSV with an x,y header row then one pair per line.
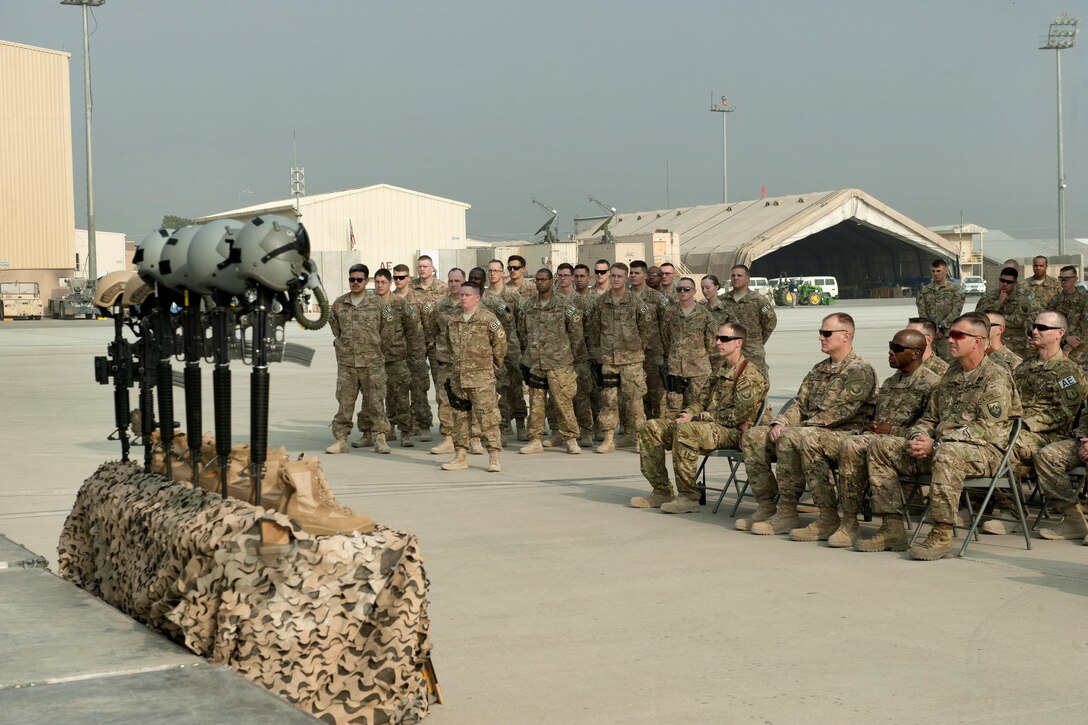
x,y
38,204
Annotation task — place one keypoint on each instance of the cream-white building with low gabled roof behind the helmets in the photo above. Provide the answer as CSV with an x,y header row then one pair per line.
x,y
392,226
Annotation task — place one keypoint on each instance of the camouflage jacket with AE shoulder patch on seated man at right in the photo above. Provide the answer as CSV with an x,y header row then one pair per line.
x,y
1052,395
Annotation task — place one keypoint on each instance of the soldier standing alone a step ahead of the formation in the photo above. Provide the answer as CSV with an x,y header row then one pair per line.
x,y
477,345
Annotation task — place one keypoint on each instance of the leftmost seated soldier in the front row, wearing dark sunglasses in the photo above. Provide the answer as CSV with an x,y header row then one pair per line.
x,y
728,405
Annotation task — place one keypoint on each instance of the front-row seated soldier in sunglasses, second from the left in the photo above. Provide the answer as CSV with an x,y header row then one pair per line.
x,y
835,400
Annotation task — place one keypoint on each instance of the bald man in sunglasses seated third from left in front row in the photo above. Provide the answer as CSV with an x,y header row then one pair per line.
x,y
900,403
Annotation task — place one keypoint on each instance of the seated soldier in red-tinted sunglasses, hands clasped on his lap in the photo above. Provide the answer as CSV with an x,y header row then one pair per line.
x,y
963,433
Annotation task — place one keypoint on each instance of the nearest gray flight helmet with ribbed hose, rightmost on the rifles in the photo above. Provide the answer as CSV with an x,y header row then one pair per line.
x,y
274,252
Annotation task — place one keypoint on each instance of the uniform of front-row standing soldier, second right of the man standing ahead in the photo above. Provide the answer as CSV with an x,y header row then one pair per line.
x,y
619,331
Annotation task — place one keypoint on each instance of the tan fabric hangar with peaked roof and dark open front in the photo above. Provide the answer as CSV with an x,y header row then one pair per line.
x,y
847,234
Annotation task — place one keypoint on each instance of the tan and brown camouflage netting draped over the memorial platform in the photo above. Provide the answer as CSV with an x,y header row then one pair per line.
x,y
336,625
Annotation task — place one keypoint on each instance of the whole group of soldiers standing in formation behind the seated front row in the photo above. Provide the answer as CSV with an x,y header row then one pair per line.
x,y
636,345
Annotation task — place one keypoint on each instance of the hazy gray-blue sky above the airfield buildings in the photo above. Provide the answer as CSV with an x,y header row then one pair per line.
x,y
934,107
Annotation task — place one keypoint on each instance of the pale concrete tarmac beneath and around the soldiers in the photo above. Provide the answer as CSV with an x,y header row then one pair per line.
x,y
552,601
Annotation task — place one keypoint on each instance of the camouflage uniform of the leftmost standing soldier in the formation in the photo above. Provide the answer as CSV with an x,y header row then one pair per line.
x,y
361,366
